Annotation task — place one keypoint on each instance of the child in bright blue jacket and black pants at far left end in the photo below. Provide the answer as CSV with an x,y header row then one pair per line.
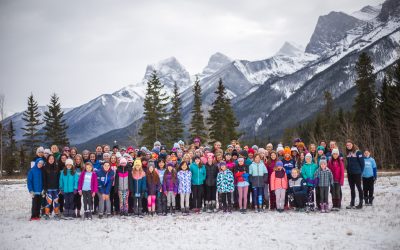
x,y
35,187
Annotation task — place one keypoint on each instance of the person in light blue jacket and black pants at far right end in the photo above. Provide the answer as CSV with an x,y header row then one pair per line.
x,y
369,178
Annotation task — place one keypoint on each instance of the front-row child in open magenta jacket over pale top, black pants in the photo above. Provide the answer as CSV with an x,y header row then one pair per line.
x,y
88,187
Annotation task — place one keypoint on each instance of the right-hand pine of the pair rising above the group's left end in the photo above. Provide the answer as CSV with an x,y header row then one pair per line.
x,y
55,127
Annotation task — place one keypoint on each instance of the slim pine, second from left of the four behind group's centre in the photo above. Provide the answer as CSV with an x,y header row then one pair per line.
x,y
175,124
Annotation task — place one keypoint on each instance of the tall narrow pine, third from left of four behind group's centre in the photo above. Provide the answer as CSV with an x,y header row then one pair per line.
x,y
197,126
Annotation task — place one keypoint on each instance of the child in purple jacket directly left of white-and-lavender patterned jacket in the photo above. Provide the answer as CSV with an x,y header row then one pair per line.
x,y
170,186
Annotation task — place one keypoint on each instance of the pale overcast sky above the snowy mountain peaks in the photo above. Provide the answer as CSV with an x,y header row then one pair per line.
x,y
82,49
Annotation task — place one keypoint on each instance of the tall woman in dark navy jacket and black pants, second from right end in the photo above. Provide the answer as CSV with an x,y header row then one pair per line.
x,y
355,167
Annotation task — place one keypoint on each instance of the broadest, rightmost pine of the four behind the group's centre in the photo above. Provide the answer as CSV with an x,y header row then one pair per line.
x,y
222,120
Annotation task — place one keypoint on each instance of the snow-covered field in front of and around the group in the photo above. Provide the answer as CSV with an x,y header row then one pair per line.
x,y
376,227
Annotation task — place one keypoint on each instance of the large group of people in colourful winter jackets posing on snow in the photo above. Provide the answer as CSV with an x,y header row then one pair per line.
x,y
197,178
